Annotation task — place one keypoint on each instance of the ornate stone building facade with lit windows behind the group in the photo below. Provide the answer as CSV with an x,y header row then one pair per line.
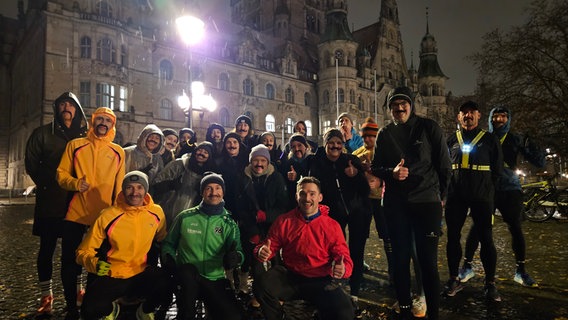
x,y
278,61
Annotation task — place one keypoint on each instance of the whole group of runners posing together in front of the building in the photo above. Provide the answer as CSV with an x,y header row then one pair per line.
x,y
173,216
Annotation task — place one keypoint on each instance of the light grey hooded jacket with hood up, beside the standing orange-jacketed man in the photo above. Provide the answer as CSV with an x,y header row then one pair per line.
x,y
138,157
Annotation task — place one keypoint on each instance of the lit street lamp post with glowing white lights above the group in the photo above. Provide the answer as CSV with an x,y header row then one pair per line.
x,y
191,30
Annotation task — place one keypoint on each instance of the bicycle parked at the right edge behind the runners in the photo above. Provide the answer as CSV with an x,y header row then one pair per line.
x,y
543,199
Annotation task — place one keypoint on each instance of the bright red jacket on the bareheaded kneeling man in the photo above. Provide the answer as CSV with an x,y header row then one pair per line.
x,y
309,247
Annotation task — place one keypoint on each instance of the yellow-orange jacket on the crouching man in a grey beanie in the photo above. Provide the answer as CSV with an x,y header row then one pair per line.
x,y
123,236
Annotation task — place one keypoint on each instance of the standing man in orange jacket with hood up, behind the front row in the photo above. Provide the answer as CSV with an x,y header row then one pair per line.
x,y
92,167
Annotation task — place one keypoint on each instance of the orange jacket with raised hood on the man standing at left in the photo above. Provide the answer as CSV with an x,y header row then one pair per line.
x,y
101,163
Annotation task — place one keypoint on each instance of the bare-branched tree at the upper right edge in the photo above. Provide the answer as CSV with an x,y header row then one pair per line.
x,y
526,69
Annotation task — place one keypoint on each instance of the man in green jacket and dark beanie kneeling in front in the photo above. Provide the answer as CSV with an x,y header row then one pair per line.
x,y
203,242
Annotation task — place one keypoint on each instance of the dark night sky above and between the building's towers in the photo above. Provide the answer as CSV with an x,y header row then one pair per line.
x,y
457,26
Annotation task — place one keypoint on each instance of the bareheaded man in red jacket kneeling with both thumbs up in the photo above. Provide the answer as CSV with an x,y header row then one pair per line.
x,y
314,254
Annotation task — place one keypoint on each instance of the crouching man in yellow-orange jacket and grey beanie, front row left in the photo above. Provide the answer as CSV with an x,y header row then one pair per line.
x,y
115,251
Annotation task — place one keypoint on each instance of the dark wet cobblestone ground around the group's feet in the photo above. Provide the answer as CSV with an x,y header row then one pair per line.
x,y
547,253
